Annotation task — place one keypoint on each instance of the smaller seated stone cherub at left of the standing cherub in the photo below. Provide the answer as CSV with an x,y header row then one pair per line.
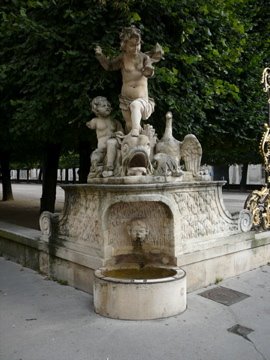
x,y
108,133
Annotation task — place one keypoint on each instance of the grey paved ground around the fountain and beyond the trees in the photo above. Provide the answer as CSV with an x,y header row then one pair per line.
x,y
41,319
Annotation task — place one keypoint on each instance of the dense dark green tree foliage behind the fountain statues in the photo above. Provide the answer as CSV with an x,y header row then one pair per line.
x,y
215,52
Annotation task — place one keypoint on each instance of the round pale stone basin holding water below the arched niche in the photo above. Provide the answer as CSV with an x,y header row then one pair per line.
x,y
140,294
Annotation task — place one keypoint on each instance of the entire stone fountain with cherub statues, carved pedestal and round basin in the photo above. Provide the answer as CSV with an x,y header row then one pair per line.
x,y
147,209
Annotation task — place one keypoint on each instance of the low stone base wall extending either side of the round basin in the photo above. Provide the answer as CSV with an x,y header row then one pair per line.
x,y
204,264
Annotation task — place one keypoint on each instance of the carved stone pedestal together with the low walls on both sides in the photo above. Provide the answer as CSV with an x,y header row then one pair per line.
x,y
187,222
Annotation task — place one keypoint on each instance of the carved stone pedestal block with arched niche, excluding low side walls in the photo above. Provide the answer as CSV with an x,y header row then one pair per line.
x,y
181,217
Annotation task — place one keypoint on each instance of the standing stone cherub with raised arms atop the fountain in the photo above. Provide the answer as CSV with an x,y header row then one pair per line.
x,y
136,68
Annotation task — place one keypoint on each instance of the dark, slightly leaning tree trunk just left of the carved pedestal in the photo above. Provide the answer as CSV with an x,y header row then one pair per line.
x,y
50,166
